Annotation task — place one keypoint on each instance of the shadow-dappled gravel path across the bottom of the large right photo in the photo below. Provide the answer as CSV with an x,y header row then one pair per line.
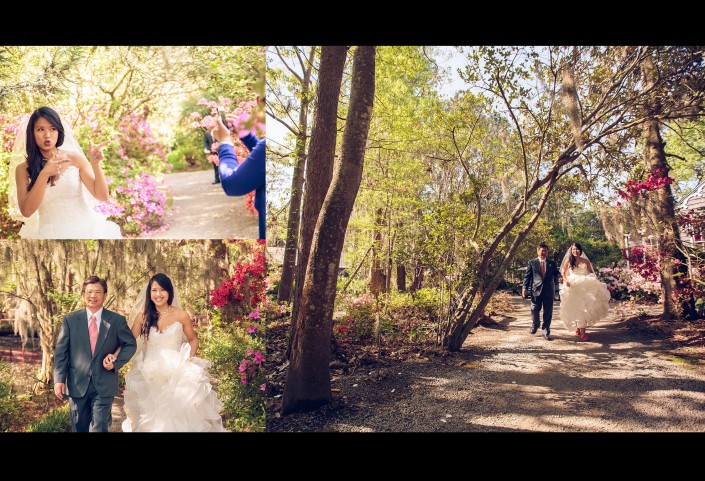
x,y
506,379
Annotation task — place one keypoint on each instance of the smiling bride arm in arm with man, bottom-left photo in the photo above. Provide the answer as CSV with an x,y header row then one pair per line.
x,y
167,388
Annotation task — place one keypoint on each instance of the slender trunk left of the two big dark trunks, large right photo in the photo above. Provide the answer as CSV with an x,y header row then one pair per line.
x,y
297,183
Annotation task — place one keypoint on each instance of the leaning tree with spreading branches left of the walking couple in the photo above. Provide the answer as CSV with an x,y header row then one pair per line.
x,y
564,104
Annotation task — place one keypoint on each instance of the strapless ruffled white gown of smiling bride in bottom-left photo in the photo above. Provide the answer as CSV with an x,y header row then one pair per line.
x,y
167,391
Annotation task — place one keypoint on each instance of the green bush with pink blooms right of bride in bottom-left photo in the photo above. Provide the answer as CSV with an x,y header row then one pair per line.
x,y
227,346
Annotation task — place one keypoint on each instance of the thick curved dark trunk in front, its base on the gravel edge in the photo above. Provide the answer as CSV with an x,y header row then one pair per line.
x,y
308,379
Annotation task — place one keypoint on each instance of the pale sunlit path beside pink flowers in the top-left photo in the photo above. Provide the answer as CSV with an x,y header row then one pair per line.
x,y
203,211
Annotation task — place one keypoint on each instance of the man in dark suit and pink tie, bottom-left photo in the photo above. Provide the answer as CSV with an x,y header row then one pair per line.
x,y
84,360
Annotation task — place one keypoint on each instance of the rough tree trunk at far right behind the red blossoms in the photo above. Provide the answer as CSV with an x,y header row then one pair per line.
x,y
674,264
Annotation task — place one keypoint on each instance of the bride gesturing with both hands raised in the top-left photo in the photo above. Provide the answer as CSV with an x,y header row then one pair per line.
x,y
56,186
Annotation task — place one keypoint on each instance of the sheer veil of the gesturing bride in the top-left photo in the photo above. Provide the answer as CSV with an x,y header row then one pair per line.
x,y
19,155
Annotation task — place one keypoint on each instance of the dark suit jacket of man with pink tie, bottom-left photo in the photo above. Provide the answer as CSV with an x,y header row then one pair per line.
x,y
73,363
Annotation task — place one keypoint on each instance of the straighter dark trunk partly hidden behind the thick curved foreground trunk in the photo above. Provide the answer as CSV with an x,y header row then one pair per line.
x,y
319,164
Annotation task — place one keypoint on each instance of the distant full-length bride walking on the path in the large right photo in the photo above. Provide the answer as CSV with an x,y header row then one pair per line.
x,y
584,299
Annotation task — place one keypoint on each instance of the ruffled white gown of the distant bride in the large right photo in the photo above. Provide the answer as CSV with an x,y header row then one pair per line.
x,y
585,302
